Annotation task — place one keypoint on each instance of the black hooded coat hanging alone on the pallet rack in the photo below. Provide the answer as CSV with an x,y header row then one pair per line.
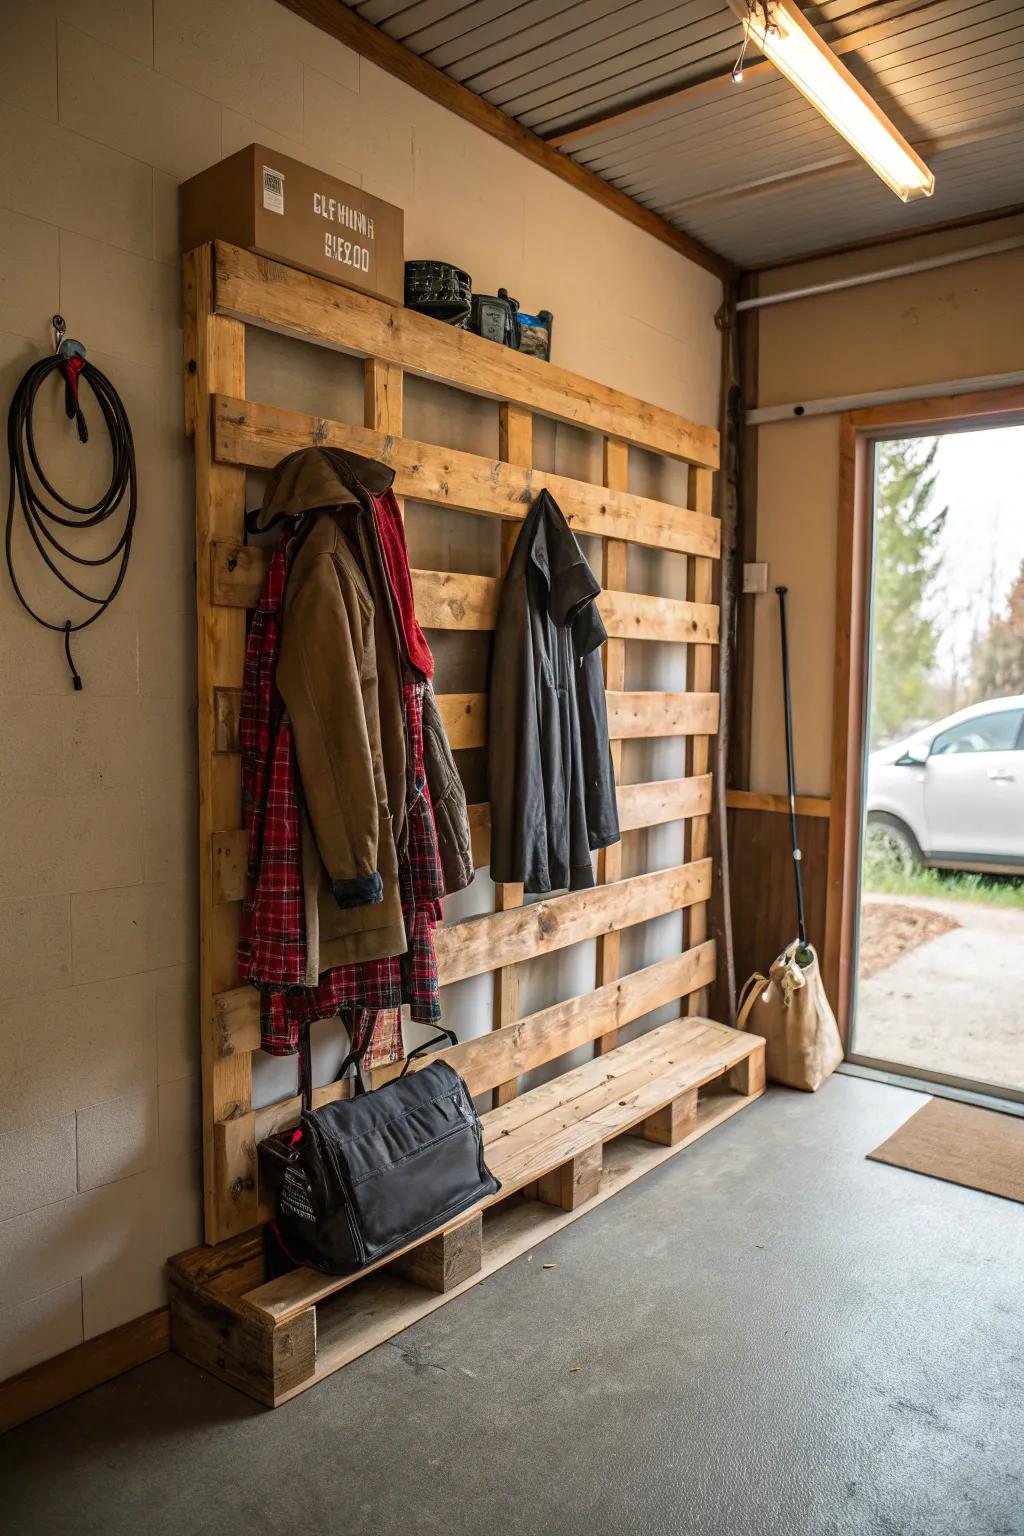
x,y
552,783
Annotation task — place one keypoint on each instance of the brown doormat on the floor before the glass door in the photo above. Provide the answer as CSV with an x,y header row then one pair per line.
x,y
963,1145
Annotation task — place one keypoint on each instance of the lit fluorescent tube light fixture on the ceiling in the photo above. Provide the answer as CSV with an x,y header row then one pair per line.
x,y
796,50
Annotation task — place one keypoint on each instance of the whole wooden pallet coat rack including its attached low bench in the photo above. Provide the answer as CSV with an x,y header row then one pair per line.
x,y
566,1147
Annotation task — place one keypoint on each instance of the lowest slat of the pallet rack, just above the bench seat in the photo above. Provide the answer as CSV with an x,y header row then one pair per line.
x,y
552,1033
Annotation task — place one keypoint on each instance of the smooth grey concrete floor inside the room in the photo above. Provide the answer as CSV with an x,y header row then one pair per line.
x,y
776,1337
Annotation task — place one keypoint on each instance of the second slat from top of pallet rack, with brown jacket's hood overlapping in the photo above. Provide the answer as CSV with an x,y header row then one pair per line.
x,y
257,437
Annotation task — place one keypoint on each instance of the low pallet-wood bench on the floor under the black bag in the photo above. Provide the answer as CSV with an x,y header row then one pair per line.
x,y
547,1145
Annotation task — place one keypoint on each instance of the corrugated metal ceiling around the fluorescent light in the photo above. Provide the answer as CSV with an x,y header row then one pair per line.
x,y
642,91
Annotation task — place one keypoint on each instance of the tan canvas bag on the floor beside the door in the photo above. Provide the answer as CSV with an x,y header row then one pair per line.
x,y
790,1010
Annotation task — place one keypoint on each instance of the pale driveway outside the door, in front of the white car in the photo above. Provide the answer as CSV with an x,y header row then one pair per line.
x,y
954,1004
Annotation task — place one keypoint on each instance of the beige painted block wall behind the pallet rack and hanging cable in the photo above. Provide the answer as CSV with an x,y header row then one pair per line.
x,y
105,107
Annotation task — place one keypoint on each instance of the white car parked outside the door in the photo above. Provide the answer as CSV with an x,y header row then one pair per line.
x,y
953,795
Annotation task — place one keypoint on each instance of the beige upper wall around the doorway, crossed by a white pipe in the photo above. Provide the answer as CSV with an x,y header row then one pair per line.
x,y
959,322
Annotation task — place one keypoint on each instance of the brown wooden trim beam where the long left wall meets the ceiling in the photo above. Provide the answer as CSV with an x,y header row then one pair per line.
x,y
388,55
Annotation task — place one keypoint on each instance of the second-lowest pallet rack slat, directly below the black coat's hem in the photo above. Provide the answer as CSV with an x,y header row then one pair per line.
x,y
484,944
